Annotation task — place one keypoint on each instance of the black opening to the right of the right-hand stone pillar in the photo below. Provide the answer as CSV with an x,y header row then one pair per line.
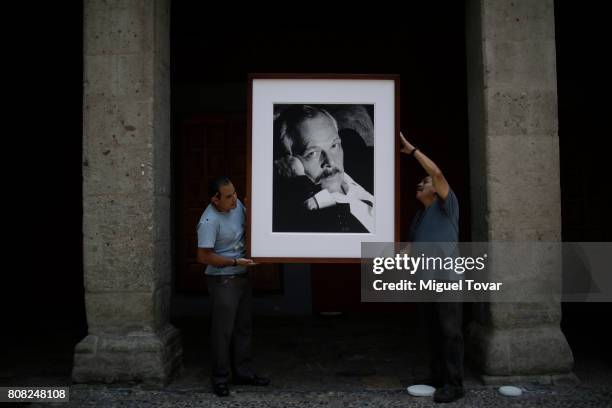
x,y
584,156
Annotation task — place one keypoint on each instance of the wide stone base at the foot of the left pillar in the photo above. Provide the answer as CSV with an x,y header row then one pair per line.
x,y
142,357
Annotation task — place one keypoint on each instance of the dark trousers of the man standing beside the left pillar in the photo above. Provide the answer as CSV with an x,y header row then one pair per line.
x,y
231,326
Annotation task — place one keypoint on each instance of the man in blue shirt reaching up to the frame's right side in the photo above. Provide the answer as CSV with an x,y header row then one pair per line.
x,y
438,222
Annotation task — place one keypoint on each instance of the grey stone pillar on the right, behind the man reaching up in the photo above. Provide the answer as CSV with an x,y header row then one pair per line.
x,y
514,165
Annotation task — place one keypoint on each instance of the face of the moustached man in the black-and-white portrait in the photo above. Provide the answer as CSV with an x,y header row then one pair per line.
x,y
322,154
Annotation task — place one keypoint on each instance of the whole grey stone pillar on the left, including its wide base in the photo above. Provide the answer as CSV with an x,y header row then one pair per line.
x,y
126,195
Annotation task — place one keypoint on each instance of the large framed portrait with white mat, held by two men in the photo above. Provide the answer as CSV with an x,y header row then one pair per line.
x,y
323,166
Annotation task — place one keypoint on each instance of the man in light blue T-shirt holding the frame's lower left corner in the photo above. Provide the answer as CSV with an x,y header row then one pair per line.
x,y
221,245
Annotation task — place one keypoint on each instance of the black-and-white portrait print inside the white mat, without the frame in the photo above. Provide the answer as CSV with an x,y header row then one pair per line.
x,y
323,166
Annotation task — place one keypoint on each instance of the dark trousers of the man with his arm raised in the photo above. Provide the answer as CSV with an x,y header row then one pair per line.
x,y
443,321
